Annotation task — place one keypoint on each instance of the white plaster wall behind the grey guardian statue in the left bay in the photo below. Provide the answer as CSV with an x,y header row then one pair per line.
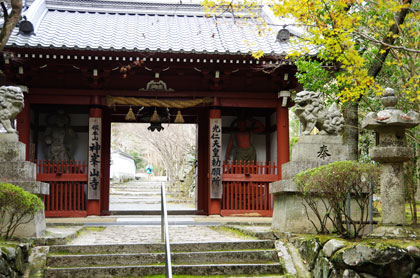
x,y
81,142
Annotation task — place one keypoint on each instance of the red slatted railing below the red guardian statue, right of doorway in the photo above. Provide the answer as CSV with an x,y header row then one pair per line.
x,y
246,188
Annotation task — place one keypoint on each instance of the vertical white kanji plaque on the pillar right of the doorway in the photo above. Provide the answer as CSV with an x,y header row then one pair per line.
x,y
216,187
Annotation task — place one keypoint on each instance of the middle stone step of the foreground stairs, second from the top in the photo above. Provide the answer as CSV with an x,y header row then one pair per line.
x,y
208,257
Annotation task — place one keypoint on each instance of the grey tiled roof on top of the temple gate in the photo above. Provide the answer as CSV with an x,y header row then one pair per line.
x,y
140,27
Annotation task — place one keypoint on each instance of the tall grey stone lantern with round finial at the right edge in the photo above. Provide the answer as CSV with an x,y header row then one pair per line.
x,y
391,151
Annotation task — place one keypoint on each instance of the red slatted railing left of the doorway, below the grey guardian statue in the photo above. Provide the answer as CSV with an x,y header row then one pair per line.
x,y
68,187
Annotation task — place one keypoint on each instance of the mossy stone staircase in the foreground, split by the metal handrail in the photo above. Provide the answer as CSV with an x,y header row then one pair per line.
x,y
230,259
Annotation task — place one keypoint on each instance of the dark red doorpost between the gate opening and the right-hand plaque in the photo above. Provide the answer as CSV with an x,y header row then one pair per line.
x,y
203,192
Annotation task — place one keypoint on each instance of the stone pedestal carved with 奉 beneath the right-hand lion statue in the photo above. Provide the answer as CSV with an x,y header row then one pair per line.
x,y
311,151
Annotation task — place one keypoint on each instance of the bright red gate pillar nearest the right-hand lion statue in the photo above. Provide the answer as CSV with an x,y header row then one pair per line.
x,y
282,119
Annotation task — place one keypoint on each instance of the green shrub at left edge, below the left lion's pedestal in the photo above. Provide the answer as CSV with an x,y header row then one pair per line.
x,y
17,207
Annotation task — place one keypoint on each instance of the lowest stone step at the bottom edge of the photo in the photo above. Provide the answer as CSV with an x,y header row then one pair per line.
x,y
138,270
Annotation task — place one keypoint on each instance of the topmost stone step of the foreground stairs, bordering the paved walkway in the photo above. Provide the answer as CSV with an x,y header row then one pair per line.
x,y
158,247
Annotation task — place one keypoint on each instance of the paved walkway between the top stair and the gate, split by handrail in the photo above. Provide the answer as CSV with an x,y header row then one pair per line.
x,y
146,229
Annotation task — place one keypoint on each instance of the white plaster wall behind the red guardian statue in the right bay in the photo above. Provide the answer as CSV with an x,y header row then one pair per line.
x,y
257,139
